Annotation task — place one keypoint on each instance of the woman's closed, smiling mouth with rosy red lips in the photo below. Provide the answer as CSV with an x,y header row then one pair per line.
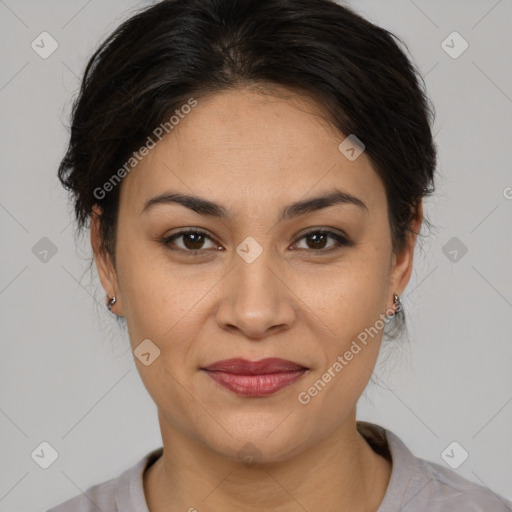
x,y
255,378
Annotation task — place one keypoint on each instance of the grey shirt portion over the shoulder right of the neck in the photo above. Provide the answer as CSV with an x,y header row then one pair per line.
x,y
419,485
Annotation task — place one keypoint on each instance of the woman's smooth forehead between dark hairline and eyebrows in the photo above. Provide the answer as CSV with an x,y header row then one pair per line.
x,y
241,146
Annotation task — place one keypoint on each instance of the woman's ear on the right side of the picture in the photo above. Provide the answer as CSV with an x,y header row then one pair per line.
x,y
401,269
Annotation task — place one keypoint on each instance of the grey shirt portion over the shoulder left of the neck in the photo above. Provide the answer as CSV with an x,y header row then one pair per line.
x,y
123,493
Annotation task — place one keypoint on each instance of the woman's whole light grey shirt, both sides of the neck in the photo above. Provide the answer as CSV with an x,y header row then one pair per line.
x,y
416,485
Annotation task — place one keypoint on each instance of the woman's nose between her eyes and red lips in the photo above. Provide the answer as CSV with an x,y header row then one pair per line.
x,y
255,298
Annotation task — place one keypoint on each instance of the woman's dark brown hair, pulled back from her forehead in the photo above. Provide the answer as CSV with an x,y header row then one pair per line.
x,y
177,49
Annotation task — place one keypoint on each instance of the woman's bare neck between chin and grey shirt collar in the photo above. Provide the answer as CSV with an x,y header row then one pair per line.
x,y
340,473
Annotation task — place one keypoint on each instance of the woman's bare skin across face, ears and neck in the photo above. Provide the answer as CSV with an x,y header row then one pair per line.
x,y
255,153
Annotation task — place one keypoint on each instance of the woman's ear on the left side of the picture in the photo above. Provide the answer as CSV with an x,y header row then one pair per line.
x,y
106,269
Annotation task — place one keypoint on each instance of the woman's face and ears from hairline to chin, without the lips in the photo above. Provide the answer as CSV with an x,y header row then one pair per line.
x,y
263,280
